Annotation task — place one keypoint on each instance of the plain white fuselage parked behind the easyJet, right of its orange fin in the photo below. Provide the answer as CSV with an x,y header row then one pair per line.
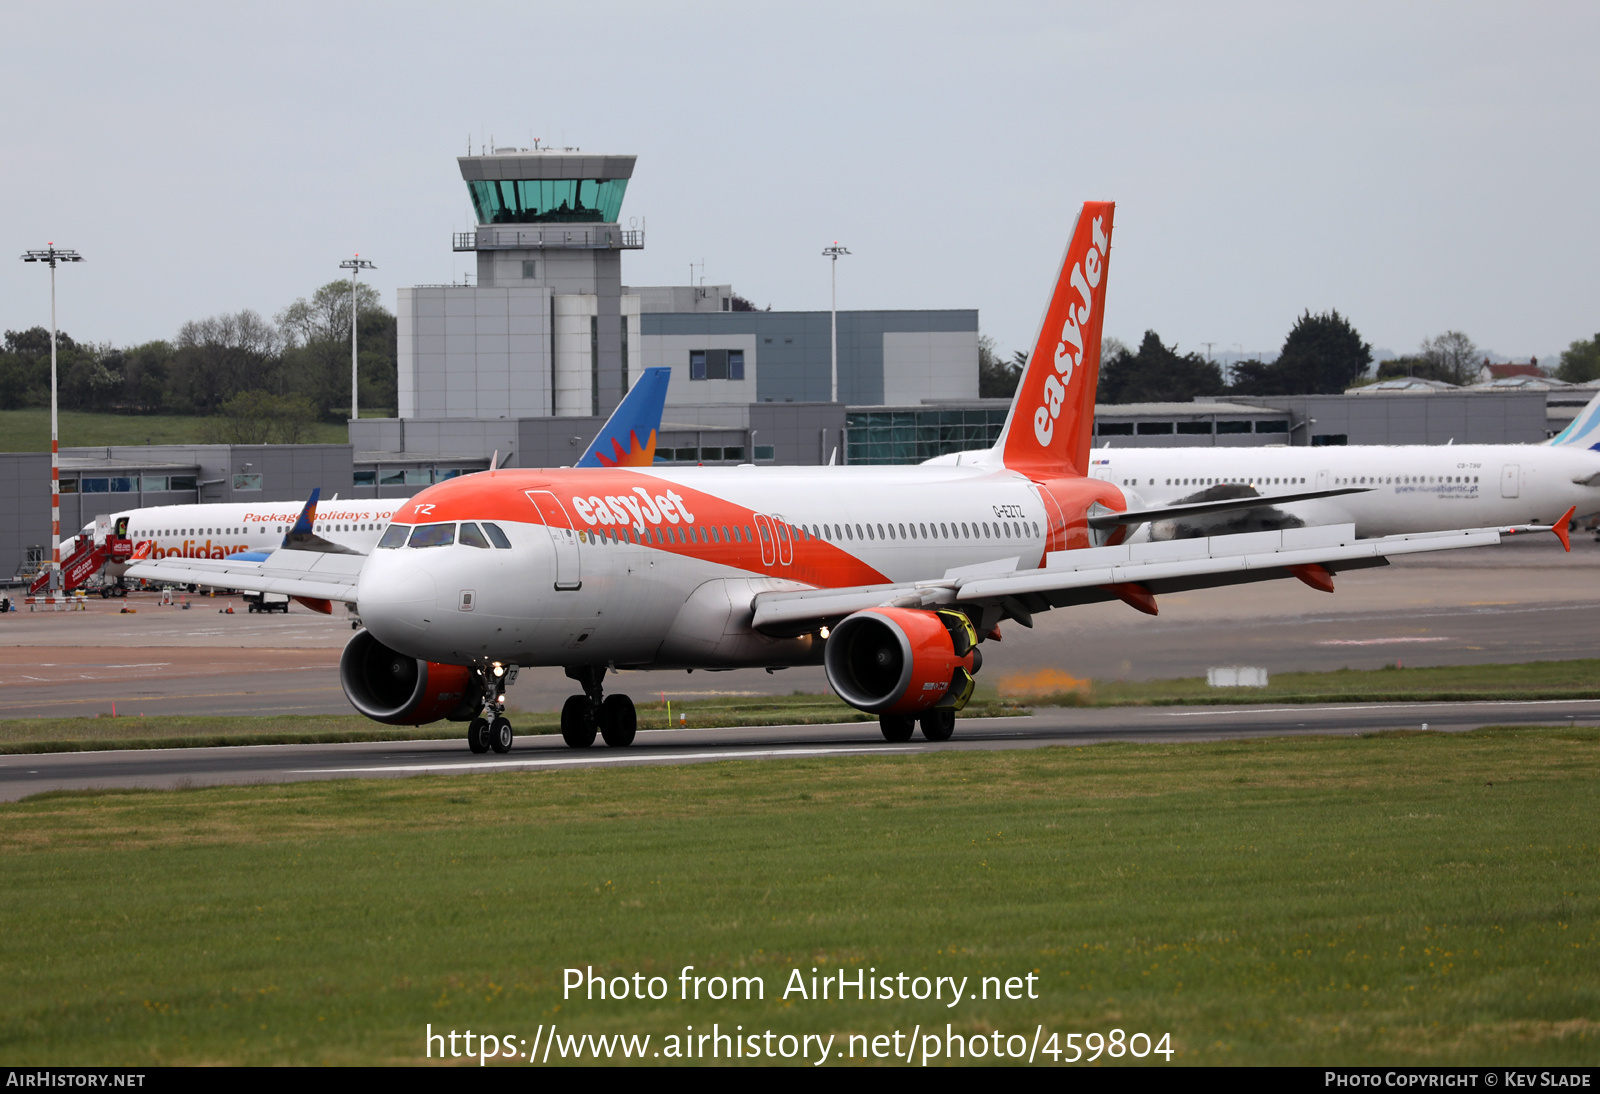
x,y
1406,489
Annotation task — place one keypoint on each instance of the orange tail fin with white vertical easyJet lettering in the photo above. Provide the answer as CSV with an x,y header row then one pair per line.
x,y
1052,421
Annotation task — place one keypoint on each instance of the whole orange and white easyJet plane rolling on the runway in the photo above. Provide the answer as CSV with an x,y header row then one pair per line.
x,y
890,577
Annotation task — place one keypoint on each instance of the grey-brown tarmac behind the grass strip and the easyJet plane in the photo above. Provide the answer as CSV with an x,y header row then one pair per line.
x,y
1524,601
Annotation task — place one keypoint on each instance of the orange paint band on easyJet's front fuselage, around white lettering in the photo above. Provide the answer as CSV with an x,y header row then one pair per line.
x,y
503,497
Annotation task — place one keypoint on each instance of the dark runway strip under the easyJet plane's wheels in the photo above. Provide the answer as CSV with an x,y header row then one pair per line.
x,y
172,769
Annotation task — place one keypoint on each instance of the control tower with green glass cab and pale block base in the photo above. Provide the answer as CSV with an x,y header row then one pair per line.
x,y
546,329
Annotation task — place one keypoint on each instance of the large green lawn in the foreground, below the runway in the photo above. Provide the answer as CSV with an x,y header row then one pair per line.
x,y
1386,900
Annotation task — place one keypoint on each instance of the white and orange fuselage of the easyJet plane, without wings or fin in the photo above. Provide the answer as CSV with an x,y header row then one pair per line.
x,y
660,567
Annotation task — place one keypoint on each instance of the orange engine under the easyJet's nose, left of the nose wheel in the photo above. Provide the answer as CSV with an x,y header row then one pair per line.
x,y
406,692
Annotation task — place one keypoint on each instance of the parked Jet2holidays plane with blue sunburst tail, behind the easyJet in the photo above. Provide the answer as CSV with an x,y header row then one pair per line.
x,y
244,530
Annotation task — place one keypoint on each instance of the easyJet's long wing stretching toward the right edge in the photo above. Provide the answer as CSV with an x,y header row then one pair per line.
x,y
1135,573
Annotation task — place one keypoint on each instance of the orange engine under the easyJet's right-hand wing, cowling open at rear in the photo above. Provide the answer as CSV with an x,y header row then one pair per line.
x,y
903,660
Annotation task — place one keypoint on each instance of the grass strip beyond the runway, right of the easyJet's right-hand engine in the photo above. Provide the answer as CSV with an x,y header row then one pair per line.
x,y
1532,681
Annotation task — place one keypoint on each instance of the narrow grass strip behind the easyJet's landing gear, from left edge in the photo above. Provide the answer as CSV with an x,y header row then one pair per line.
x,y
89,735
